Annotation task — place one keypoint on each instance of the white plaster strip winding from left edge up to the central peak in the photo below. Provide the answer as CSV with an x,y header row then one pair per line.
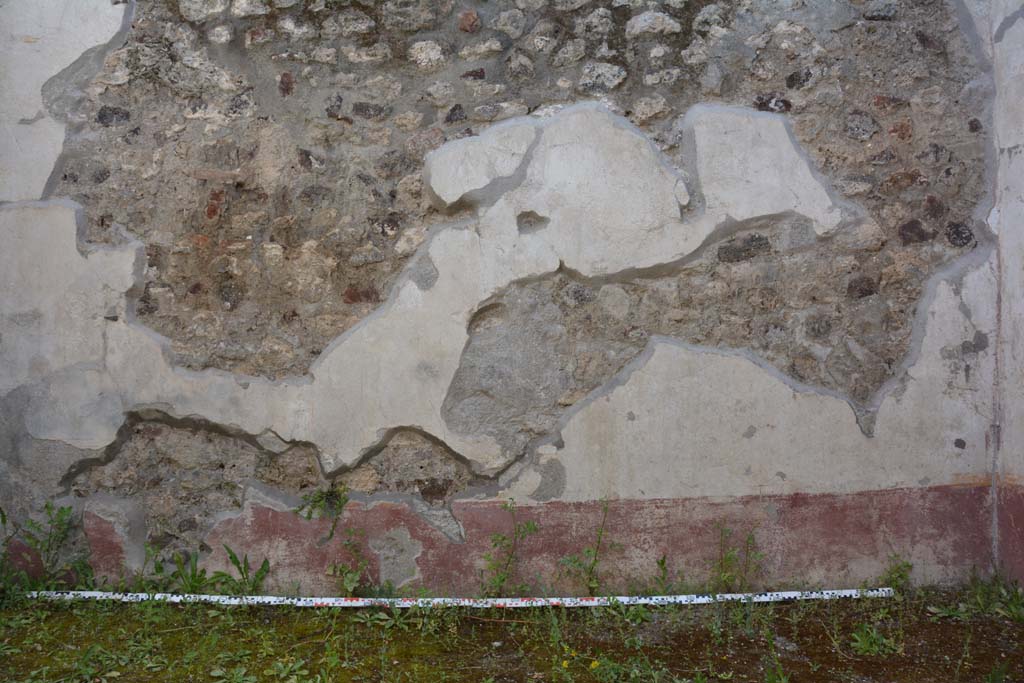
x,y
395,368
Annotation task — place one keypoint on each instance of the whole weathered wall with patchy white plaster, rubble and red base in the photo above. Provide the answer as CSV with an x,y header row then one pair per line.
x,y
745,264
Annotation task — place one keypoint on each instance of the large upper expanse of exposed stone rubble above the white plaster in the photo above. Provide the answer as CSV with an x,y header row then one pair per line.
x,y
269,155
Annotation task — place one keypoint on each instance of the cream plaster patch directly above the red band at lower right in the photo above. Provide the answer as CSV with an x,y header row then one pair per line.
x,y
679,423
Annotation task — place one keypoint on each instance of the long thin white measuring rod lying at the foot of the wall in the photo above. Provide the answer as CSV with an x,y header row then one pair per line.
x,y
479,604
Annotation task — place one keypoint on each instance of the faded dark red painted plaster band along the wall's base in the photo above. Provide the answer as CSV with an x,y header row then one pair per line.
x,y
839,540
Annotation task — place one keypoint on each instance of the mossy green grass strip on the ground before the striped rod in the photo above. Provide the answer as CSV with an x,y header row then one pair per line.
x,y
907,639
